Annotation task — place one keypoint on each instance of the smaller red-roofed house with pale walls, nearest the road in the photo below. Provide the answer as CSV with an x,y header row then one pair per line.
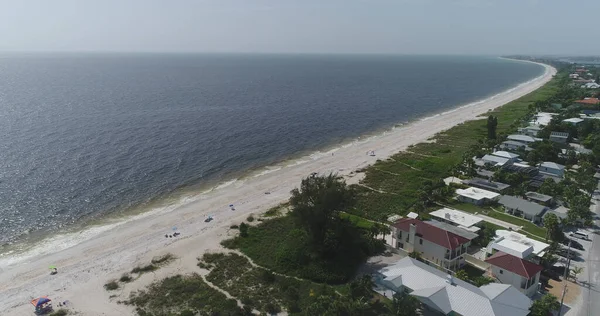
x,y
520,273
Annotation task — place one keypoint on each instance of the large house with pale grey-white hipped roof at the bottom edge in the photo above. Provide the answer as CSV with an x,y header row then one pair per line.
x,y
443,294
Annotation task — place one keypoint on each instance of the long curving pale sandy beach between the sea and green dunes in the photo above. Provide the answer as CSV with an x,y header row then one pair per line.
x,y
85,267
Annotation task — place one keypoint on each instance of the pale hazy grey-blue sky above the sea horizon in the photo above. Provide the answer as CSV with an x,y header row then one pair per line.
x,y
328,26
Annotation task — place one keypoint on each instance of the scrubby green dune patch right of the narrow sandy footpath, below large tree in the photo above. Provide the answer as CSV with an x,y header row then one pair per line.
x,y
258,288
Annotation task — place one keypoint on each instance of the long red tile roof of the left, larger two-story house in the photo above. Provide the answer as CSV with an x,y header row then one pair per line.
x,y
432,233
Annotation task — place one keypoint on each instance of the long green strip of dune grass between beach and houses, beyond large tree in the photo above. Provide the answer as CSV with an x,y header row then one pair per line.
x,y
399,179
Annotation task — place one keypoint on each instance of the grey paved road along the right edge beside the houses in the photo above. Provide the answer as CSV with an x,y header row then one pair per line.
x,y
590,305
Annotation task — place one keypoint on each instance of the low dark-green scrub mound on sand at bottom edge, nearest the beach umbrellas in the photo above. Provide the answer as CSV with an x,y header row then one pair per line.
x,y
182,295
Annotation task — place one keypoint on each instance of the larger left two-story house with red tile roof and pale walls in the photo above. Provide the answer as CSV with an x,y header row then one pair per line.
x,y
439,246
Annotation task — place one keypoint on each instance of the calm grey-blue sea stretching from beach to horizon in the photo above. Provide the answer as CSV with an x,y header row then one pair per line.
x,y
88,135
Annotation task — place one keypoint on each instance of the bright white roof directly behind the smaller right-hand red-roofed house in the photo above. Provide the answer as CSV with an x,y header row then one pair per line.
x,y
516,244
